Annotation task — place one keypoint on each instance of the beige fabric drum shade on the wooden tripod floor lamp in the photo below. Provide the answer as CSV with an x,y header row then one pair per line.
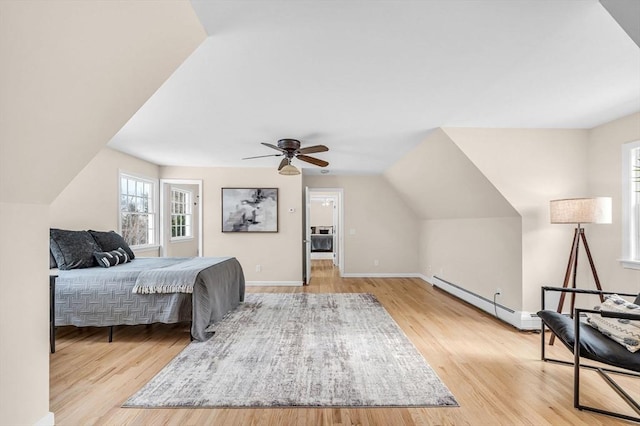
x,y
581,210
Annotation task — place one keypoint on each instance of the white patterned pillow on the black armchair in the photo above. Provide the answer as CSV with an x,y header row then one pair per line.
x,y
626,332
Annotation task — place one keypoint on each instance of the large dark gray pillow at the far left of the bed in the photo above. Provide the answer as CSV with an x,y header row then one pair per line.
x,y
72,249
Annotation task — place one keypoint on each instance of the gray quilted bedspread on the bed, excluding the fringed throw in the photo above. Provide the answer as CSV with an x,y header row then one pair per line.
x,y
104,297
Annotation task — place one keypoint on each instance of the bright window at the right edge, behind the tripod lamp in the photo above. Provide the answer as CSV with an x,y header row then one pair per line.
x,y
631,204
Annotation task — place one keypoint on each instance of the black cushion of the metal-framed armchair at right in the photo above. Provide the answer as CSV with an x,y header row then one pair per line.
x,y
593,344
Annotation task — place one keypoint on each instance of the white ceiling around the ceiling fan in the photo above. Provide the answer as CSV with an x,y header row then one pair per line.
x,y
370,79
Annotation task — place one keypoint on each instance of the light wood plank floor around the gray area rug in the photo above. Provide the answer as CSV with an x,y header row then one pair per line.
x,y
493,370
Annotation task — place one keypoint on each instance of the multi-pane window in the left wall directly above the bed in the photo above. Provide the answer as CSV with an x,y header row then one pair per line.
x,y
137,210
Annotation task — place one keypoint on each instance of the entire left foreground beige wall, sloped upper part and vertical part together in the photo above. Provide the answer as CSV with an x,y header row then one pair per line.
x,y
72,74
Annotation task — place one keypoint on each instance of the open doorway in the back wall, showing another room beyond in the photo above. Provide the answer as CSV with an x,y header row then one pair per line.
x,y
324,248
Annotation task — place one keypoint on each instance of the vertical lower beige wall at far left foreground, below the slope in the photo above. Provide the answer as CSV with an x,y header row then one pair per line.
x,y
24,313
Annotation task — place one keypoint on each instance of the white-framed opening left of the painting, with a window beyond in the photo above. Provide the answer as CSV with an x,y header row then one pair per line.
x,y
180,218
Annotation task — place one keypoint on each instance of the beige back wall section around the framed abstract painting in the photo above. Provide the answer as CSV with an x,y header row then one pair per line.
x,y
278,254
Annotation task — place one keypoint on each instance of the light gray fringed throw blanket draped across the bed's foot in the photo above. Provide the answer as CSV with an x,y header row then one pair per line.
x,y
174,278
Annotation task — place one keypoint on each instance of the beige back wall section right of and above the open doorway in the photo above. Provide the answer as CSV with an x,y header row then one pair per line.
x,y
386,229
